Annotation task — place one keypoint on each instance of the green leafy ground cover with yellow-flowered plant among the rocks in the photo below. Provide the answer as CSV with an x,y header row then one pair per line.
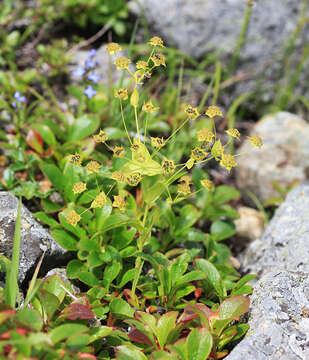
x,y
135,204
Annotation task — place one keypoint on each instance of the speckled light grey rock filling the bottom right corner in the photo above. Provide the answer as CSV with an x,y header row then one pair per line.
x,y
278,319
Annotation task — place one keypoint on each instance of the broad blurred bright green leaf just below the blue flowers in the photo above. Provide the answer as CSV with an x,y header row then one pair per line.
x,y
83,127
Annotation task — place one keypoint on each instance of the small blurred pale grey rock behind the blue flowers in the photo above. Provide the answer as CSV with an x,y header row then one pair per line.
x,y
105,67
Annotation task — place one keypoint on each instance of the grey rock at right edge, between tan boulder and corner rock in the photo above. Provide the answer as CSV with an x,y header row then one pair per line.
x,y
285,243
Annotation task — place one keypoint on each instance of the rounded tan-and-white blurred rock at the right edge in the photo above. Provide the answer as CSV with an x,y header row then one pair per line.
x,y
284,157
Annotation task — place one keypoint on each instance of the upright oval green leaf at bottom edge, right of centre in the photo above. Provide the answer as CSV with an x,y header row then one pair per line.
x,y
199,344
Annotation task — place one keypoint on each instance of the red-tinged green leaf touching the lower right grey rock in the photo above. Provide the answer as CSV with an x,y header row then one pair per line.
x,y
233,307
